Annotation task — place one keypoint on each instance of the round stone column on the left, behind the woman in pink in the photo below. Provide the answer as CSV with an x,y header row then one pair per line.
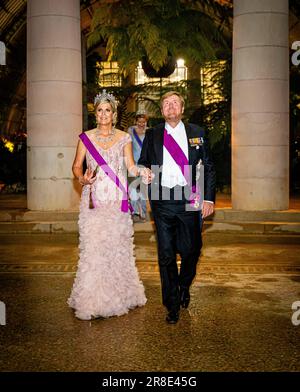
x,y
54,102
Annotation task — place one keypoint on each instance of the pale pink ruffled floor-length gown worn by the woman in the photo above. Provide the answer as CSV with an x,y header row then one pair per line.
x,y
107,281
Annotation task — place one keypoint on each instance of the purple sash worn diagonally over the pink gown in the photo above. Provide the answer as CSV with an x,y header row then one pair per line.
x,y
107,170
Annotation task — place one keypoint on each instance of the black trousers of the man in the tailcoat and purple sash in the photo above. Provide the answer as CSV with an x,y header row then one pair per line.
x,y
178,231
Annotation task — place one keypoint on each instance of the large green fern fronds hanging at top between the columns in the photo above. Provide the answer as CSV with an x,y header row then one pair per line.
x,y
137,28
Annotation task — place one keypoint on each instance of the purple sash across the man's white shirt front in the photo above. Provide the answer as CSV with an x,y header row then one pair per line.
x,y
182,161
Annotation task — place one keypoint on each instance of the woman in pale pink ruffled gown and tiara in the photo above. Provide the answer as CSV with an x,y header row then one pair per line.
x,y
107,282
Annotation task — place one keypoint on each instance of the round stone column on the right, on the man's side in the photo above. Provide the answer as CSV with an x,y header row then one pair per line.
x,y
260,105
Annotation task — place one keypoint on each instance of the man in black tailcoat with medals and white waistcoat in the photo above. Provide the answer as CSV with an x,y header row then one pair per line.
x,y
175,152
